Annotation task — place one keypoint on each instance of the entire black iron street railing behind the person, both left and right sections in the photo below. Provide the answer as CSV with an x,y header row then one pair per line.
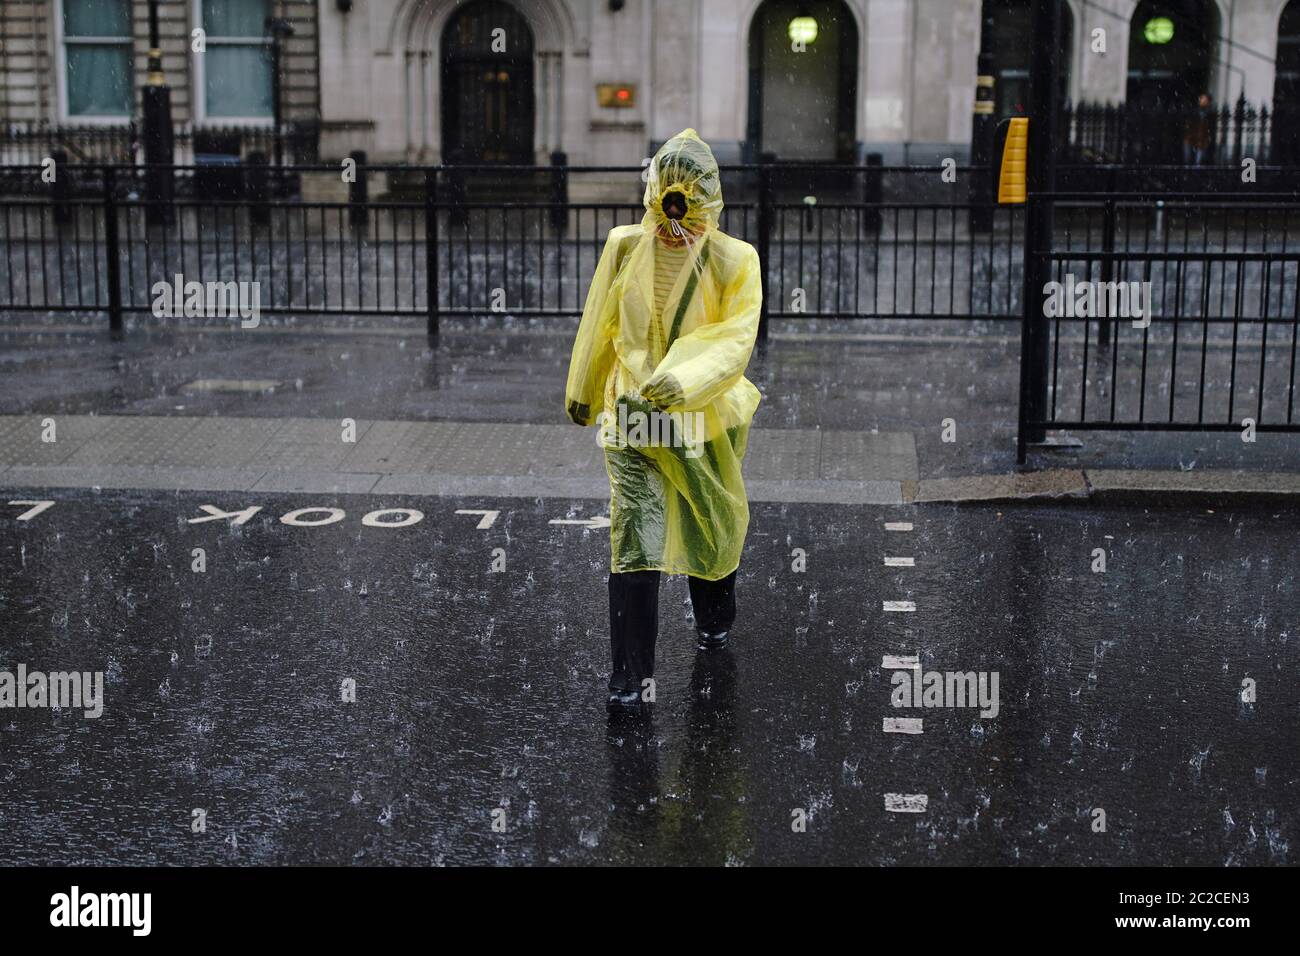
x,y
1198,295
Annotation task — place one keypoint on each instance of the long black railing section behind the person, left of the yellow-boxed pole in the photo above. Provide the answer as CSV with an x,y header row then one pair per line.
x,y
857,250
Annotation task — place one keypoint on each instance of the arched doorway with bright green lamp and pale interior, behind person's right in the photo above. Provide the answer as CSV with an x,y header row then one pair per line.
x,y
803,102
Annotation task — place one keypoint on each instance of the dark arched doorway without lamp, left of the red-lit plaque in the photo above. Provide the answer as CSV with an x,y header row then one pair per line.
x,y
488,102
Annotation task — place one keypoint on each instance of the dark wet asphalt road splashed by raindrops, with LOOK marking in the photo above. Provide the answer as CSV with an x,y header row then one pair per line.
x,y
482,691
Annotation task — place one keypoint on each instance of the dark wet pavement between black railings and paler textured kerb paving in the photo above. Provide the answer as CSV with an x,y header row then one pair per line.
x,y
890,378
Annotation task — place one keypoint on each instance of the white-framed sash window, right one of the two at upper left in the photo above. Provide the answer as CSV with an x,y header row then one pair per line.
x,y
237,67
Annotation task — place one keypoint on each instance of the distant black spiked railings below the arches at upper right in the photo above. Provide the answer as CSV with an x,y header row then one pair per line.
x,y
1139,135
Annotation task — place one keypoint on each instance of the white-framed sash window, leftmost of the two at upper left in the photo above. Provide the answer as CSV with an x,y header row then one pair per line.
x,y
97,37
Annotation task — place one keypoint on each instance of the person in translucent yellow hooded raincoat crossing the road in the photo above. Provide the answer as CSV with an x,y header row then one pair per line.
x,y
660,367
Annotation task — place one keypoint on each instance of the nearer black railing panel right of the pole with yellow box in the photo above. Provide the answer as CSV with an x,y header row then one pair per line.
x,y
1178,313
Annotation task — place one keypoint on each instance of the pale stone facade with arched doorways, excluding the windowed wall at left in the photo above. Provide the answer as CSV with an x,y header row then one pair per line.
x,y
890,76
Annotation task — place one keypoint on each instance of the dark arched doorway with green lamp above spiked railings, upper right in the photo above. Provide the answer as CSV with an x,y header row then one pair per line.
x,y
1172,53
